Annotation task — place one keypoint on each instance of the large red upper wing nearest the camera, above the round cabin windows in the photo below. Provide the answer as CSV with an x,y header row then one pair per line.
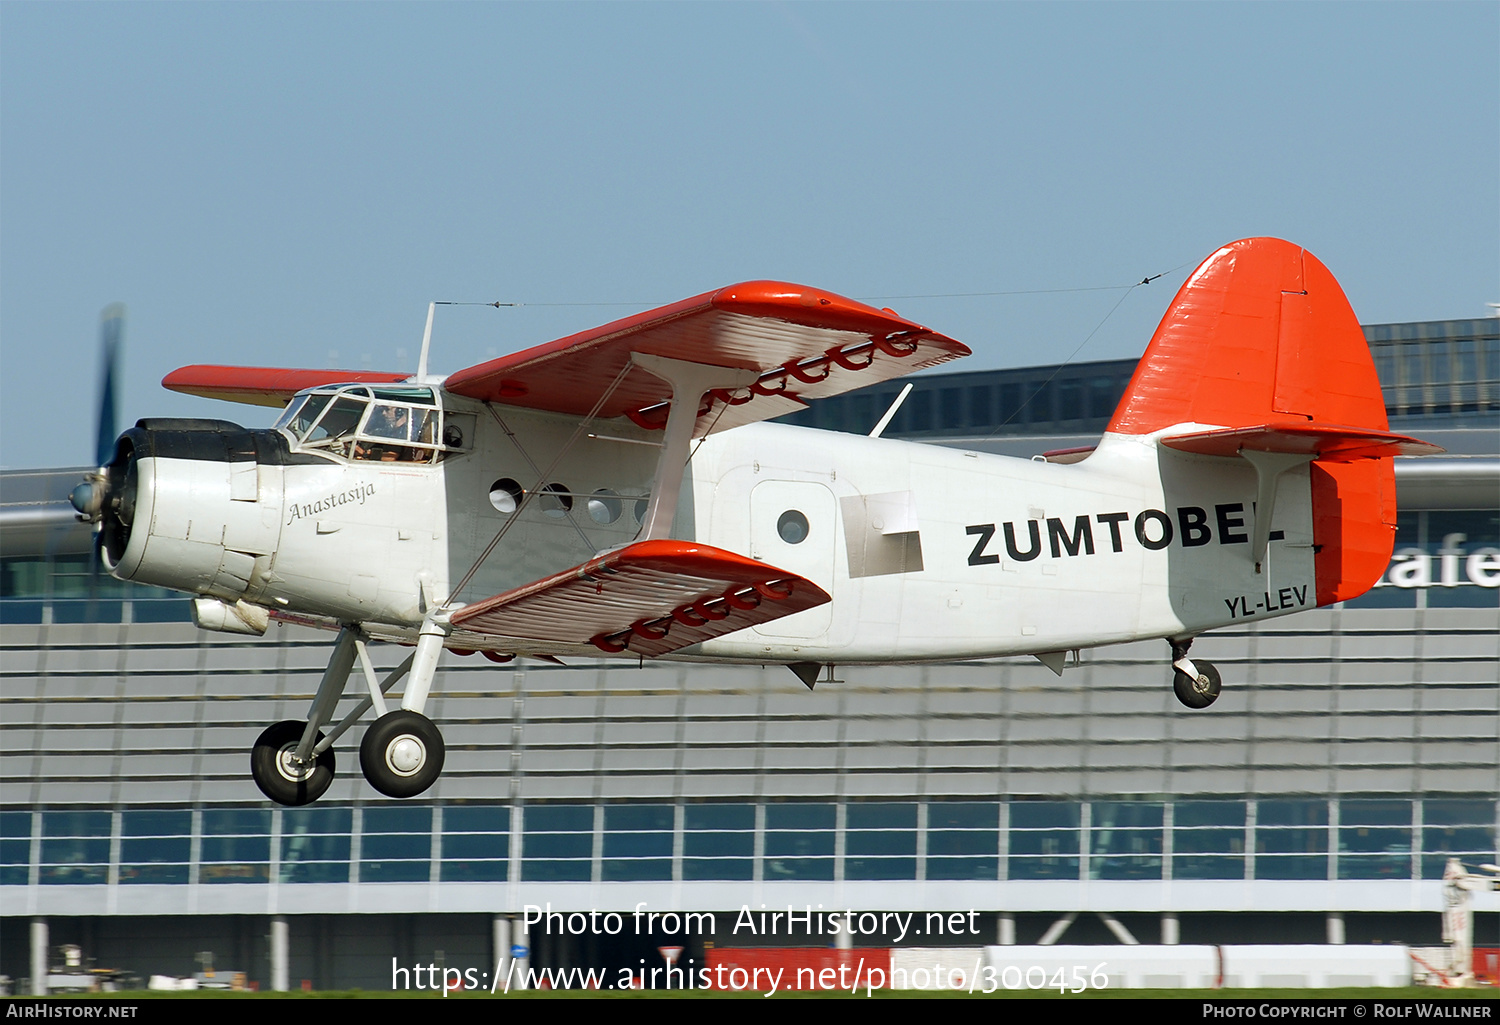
x,y
806,344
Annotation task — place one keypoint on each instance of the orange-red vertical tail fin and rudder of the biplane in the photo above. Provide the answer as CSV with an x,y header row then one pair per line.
x,y
1262,344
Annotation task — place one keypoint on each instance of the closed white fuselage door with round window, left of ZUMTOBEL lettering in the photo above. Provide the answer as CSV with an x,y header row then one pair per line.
x,y
793,528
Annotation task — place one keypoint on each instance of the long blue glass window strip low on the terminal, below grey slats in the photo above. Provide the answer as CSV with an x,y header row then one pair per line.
x,y
1292,838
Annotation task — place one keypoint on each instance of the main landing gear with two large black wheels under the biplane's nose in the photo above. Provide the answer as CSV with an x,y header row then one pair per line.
x,y
403,751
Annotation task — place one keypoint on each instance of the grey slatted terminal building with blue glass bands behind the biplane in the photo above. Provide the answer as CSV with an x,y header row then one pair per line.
x,y
1354,753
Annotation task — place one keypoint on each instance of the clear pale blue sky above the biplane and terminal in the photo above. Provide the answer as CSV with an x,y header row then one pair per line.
x,y
290,185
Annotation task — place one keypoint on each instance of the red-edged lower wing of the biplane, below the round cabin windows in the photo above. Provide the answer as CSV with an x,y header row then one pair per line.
x,y
649,598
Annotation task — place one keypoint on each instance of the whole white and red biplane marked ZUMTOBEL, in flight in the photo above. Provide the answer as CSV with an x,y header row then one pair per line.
x,y
617,493
